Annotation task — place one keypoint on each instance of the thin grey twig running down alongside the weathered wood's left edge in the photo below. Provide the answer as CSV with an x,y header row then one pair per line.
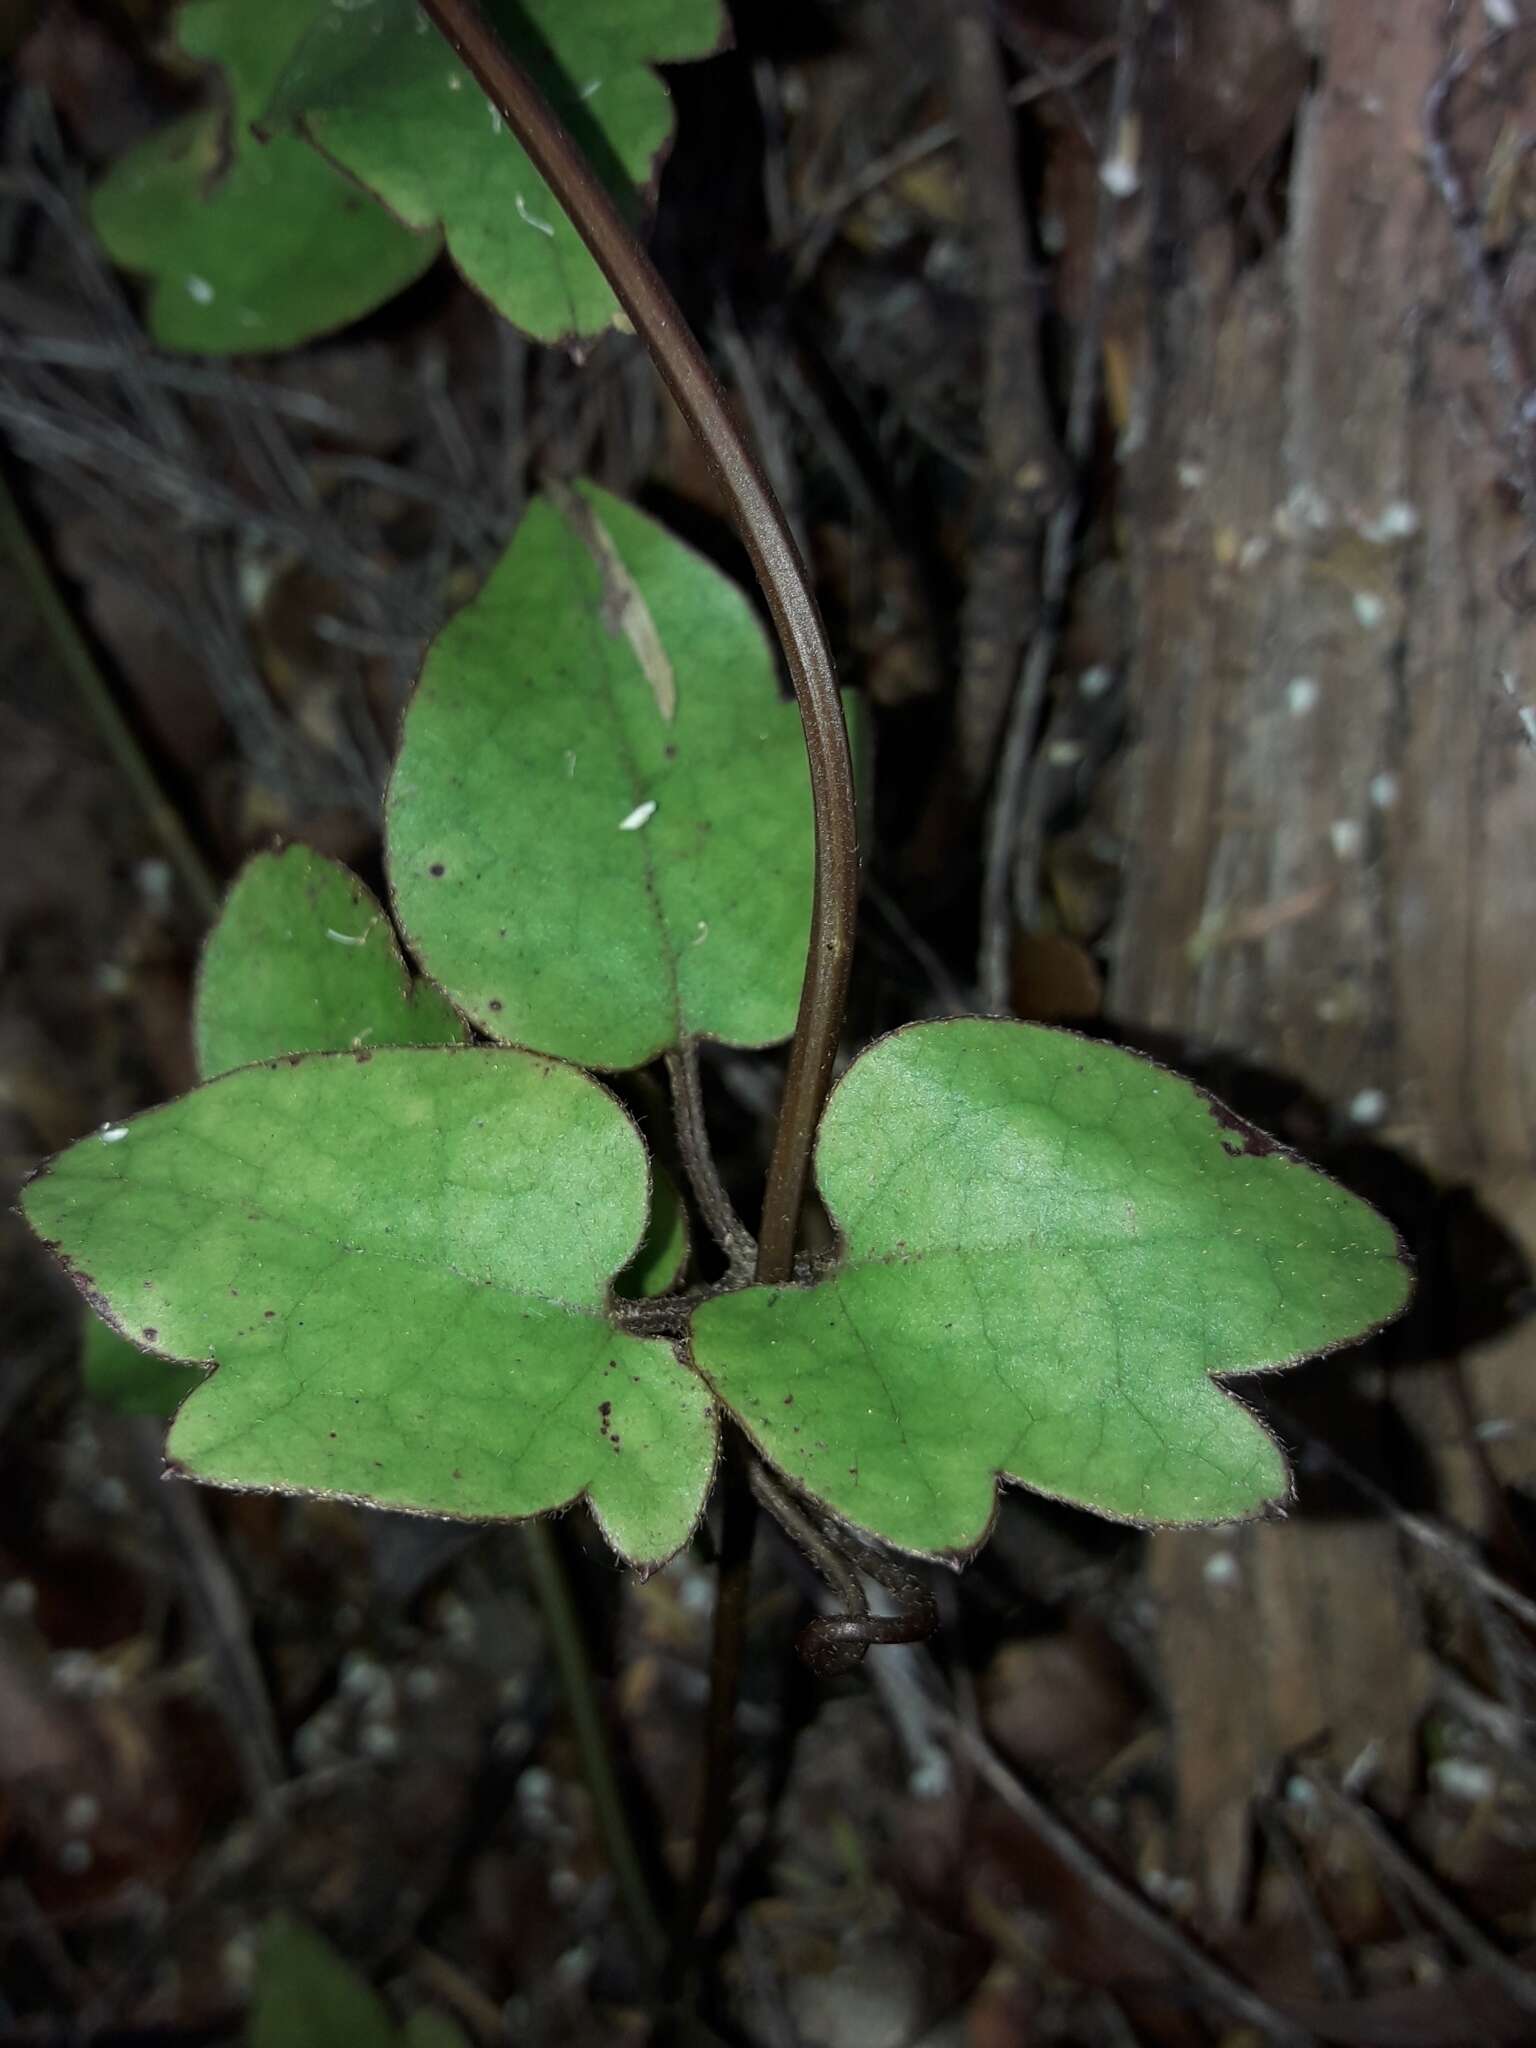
x,y
1056,579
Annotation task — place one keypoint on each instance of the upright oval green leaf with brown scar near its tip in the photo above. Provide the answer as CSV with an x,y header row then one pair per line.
x,y
599,830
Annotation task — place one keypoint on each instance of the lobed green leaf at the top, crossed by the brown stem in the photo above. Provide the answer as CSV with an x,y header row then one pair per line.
x,y
402,116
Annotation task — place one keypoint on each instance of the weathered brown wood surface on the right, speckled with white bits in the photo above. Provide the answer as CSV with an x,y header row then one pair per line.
x,y
1334,814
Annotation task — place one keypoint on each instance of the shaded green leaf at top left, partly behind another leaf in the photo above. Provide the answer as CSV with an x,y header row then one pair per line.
x,y
249,247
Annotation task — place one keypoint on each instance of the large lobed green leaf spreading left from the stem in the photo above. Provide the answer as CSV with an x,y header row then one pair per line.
x,y
402,1267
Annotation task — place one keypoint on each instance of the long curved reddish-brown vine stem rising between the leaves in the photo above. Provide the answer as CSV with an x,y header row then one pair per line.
x,y
765,534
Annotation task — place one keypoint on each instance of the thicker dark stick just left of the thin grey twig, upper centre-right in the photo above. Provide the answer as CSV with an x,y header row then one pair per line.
x,y
1023,474
